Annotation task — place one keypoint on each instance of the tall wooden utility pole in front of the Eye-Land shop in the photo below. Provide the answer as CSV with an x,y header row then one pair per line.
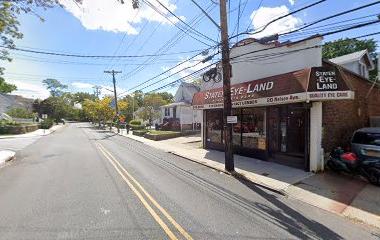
x,y
227,128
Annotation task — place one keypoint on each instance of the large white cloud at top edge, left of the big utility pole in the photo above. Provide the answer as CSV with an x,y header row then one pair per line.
x,y
113,16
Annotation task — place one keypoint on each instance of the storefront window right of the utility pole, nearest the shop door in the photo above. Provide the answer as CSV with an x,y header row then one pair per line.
x,y
253,128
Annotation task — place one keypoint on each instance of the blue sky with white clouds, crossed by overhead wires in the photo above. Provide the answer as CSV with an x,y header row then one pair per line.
x,y
107,27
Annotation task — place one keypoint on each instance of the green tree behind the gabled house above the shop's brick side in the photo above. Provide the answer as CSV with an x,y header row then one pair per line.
x,y
346,46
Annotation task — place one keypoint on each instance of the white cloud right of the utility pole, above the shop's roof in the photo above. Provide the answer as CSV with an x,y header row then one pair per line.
x,y
265,14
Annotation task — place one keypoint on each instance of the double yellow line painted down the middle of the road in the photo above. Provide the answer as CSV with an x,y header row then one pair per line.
x,y
140,192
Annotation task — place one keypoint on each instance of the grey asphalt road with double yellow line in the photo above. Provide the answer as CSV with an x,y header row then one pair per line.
x,y
84,183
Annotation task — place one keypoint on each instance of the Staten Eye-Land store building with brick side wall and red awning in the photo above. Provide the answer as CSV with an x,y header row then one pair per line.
x,y
290,105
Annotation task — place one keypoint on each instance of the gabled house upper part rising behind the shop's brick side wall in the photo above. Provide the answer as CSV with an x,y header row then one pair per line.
x,y
358,62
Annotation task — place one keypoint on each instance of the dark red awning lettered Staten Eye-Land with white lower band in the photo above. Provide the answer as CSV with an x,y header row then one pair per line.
x,y
312,84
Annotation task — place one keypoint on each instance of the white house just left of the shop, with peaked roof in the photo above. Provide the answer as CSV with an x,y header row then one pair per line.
x,y
180,115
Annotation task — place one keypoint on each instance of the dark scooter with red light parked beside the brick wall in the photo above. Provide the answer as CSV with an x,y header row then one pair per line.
x,y
348,162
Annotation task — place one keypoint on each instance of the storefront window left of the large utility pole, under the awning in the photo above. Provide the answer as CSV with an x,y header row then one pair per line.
x,y
214,126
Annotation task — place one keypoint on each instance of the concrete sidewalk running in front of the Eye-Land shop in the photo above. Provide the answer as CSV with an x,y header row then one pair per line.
x,y
343,195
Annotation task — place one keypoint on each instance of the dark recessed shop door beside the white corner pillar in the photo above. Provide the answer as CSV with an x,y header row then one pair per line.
x,y
286,139
